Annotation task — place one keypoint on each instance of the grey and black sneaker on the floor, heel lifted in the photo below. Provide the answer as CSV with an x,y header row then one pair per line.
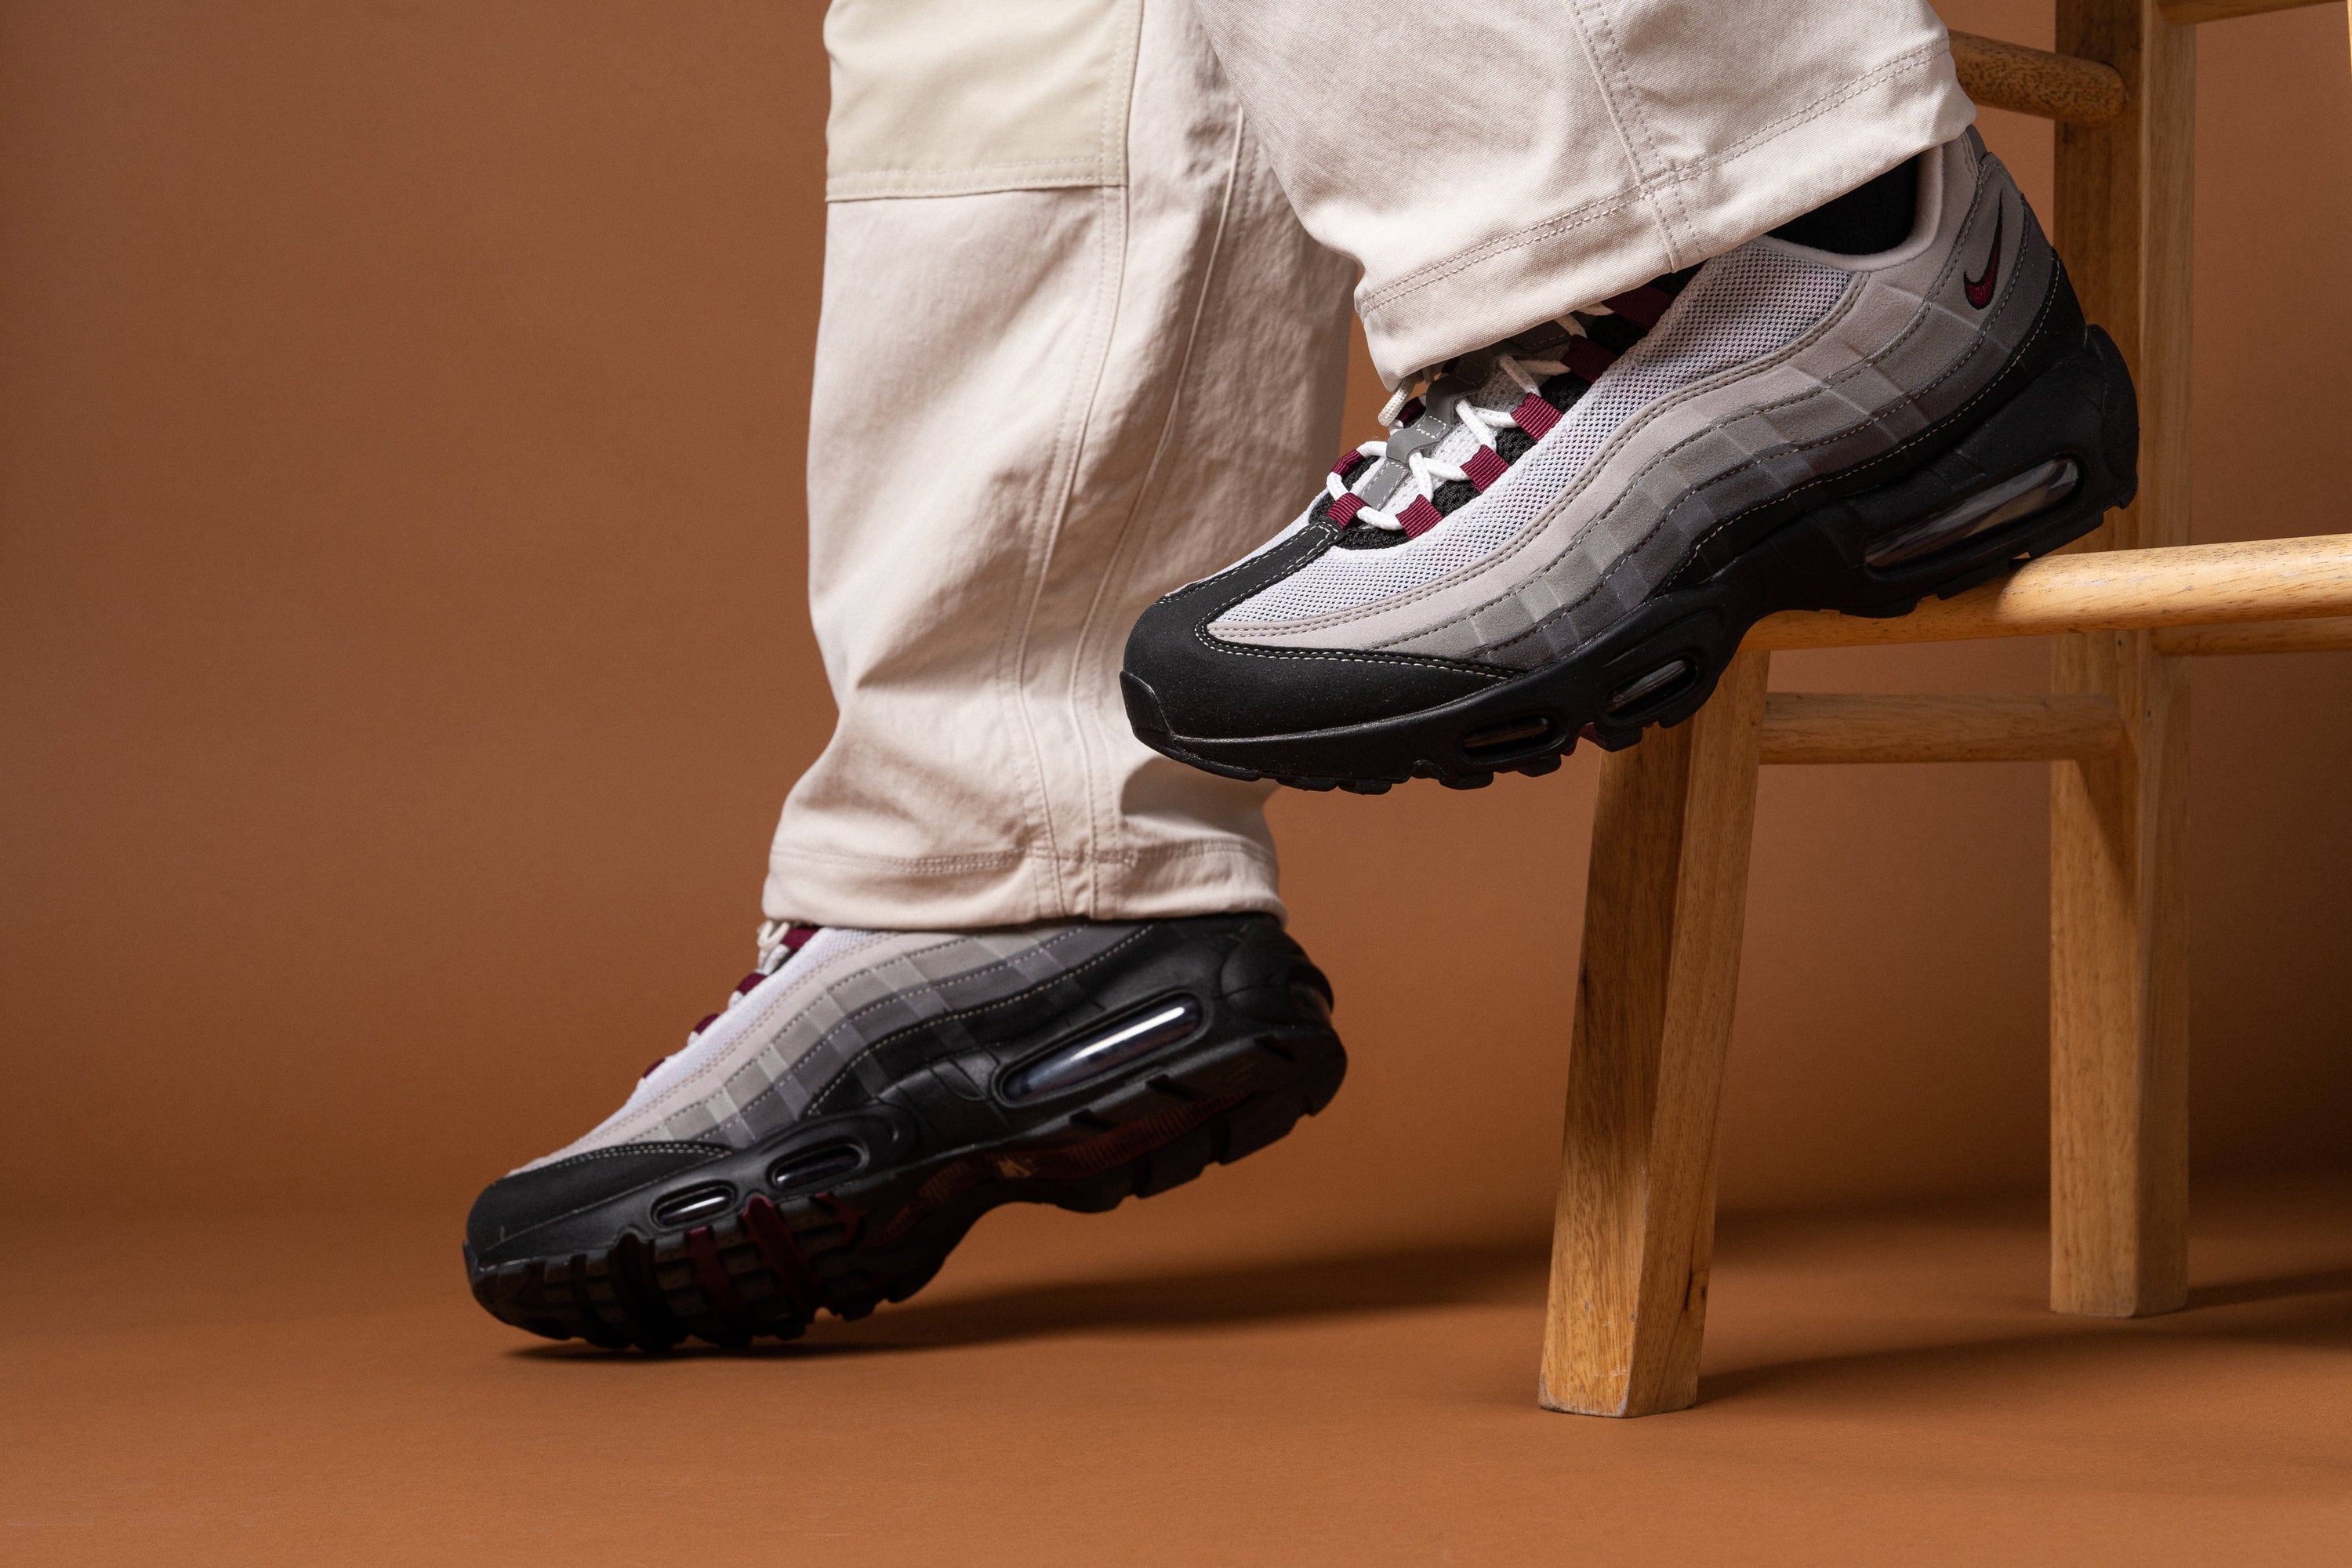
x,y
869,1094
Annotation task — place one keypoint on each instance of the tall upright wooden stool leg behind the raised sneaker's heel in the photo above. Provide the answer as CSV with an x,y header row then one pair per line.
x,y
2118,826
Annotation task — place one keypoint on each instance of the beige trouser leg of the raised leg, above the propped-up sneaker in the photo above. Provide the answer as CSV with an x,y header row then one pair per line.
x,y
1497,166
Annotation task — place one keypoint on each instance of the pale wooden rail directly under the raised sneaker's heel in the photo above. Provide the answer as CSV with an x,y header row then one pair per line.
x,y
2111,591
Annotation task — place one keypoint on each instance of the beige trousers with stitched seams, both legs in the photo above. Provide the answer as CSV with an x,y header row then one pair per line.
x,y
1085,321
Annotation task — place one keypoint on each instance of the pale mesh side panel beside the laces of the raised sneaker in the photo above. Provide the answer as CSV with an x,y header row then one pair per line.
x,y
1742,307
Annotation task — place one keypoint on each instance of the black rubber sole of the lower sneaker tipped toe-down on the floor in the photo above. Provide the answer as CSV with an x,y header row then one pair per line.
x,y
775,1261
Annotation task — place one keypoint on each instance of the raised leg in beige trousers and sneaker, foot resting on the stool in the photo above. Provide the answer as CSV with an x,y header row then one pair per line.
x,y
1711,309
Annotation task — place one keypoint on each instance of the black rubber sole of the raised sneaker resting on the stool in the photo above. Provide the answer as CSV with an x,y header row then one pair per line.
x,y
2076,410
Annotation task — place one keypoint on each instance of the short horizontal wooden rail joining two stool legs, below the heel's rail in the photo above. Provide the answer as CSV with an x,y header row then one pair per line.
x,y
1878,728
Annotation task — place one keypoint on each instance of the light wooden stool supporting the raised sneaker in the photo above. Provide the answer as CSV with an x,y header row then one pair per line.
x,y
1673,824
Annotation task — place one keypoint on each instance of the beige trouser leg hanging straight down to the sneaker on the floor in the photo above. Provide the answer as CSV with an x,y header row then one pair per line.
x,y
1071,333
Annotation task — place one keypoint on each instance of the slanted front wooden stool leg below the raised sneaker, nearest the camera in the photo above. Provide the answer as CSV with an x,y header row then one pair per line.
x,y
1655,996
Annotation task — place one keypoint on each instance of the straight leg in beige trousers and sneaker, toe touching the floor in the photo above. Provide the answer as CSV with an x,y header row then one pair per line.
x,y
1071,335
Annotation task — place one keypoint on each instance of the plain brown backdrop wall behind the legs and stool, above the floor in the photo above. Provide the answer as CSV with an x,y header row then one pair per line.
x,y
403,650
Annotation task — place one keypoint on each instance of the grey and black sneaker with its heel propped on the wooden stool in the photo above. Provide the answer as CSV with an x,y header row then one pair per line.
x,y
1568,535
